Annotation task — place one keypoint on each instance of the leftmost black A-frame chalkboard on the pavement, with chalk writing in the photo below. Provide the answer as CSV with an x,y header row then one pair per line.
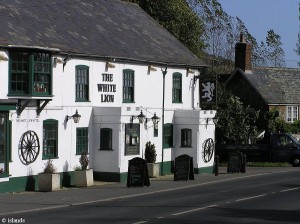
x,y
137,175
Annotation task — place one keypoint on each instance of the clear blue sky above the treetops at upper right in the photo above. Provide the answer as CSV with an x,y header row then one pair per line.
x,y
260,16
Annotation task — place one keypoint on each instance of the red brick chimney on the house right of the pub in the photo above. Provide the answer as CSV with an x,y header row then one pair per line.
x,y
243,53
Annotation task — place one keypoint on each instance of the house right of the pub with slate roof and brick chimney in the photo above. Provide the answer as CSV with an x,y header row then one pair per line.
x,y
264,88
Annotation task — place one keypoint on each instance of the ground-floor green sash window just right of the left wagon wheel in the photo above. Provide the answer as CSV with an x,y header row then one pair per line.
x,y
50,139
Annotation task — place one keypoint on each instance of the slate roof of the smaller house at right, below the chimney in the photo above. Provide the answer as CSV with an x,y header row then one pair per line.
x,y
276,85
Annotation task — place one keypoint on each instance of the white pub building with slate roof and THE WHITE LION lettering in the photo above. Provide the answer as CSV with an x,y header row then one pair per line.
x,y
78,76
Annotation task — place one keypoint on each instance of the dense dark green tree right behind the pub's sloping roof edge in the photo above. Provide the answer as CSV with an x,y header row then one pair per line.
x,y
178,19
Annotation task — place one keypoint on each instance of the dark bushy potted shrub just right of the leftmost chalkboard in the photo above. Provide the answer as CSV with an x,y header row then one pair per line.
x,y
150,156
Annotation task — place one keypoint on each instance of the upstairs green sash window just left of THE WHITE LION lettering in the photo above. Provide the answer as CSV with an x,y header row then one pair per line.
x,y
82,83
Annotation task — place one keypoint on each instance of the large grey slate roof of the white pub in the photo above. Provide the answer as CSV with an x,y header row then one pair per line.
x,y
100,28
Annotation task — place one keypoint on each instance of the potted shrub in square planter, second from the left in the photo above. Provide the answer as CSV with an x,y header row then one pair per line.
x,y
83,175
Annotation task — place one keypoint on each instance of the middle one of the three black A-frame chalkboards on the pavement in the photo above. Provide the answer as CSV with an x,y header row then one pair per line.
x,y
184,168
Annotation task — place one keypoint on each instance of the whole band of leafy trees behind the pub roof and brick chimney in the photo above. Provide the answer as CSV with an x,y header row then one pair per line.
x,y
207,30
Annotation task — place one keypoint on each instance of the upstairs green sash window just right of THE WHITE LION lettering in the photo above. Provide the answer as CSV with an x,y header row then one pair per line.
x,y
128,86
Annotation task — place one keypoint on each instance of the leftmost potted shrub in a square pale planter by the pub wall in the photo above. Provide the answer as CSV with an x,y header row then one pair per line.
x,y
49,180
